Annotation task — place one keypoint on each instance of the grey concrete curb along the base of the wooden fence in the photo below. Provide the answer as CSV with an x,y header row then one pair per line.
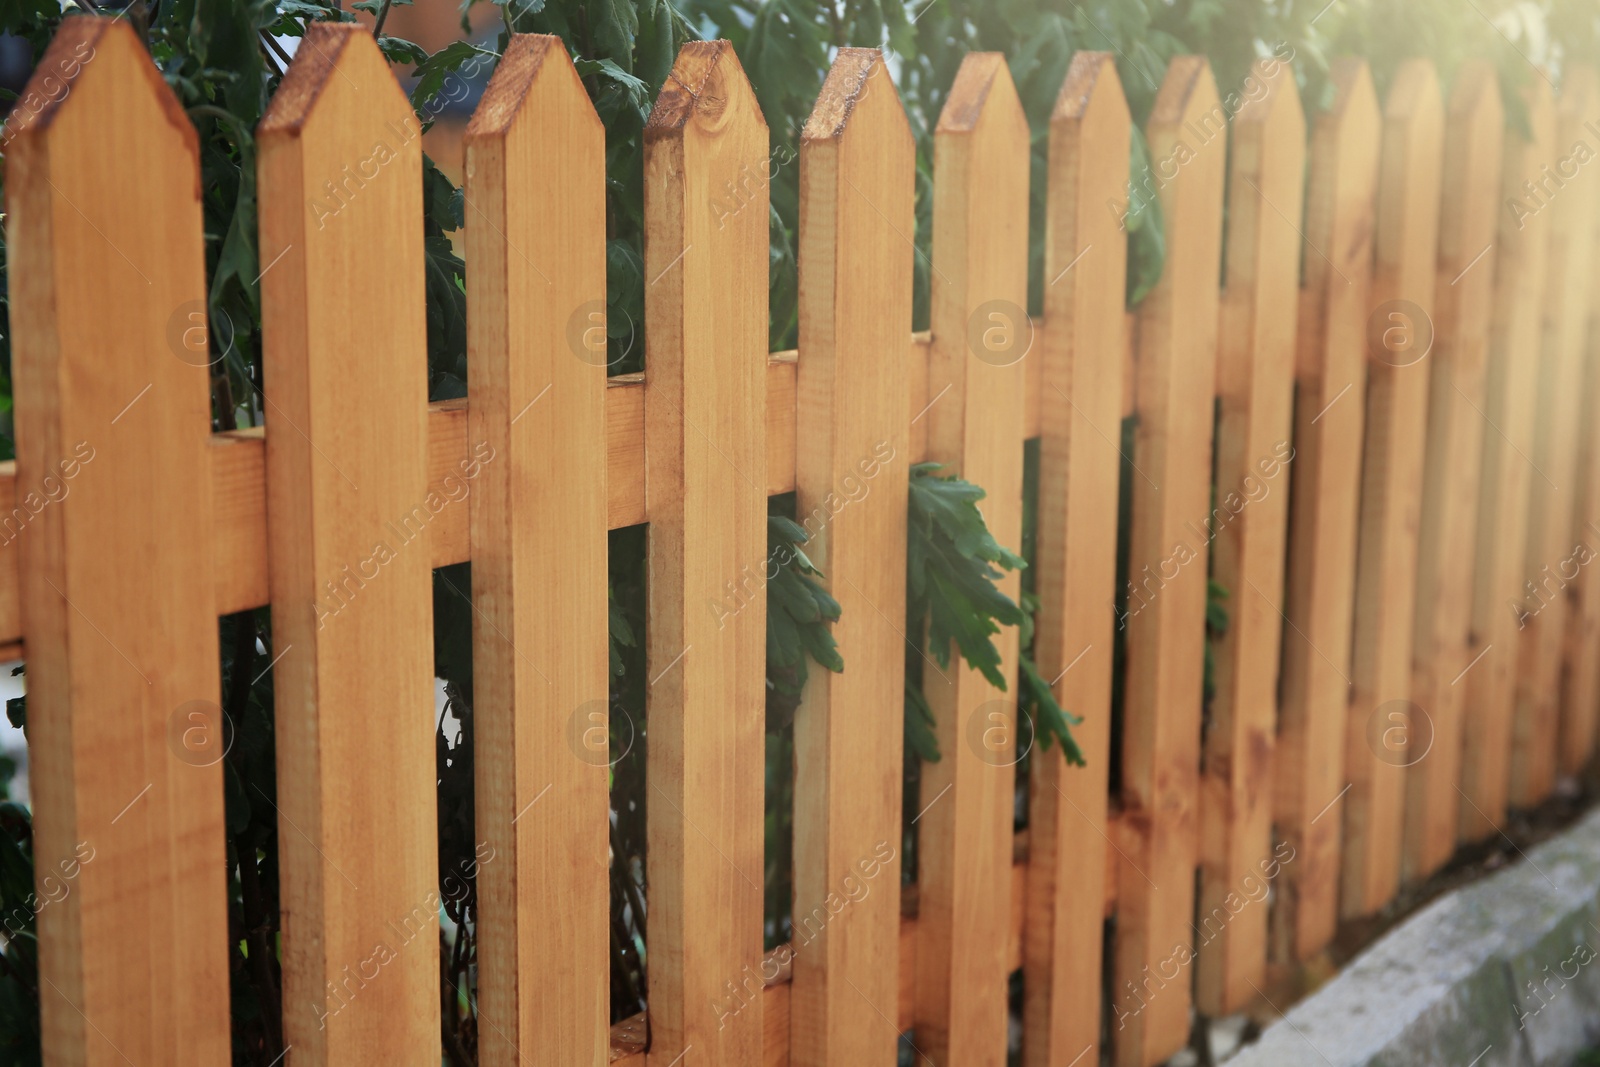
x,y
1500,973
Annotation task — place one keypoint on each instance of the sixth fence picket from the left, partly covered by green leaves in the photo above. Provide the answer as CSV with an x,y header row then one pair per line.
x,y
980,342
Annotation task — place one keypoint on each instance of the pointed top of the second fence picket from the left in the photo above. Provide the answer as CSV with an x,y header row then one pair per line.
x,y
334,58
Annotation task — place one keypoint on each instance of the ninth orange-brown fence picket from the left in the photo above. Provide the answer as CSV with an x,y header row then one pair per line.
x,y
1247,527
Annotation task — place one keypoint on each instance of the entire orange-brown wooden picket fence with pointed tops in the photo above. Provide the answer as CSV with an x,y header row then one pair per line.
x,y
1393,393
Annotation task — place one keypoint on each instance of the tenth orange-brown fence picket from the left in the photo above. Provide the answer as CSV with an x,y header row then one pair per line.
x,y
1329,412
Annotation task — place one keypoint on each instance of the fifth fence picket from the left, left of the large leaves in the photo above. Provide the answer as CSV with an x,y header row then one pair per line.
x,y
857,212
